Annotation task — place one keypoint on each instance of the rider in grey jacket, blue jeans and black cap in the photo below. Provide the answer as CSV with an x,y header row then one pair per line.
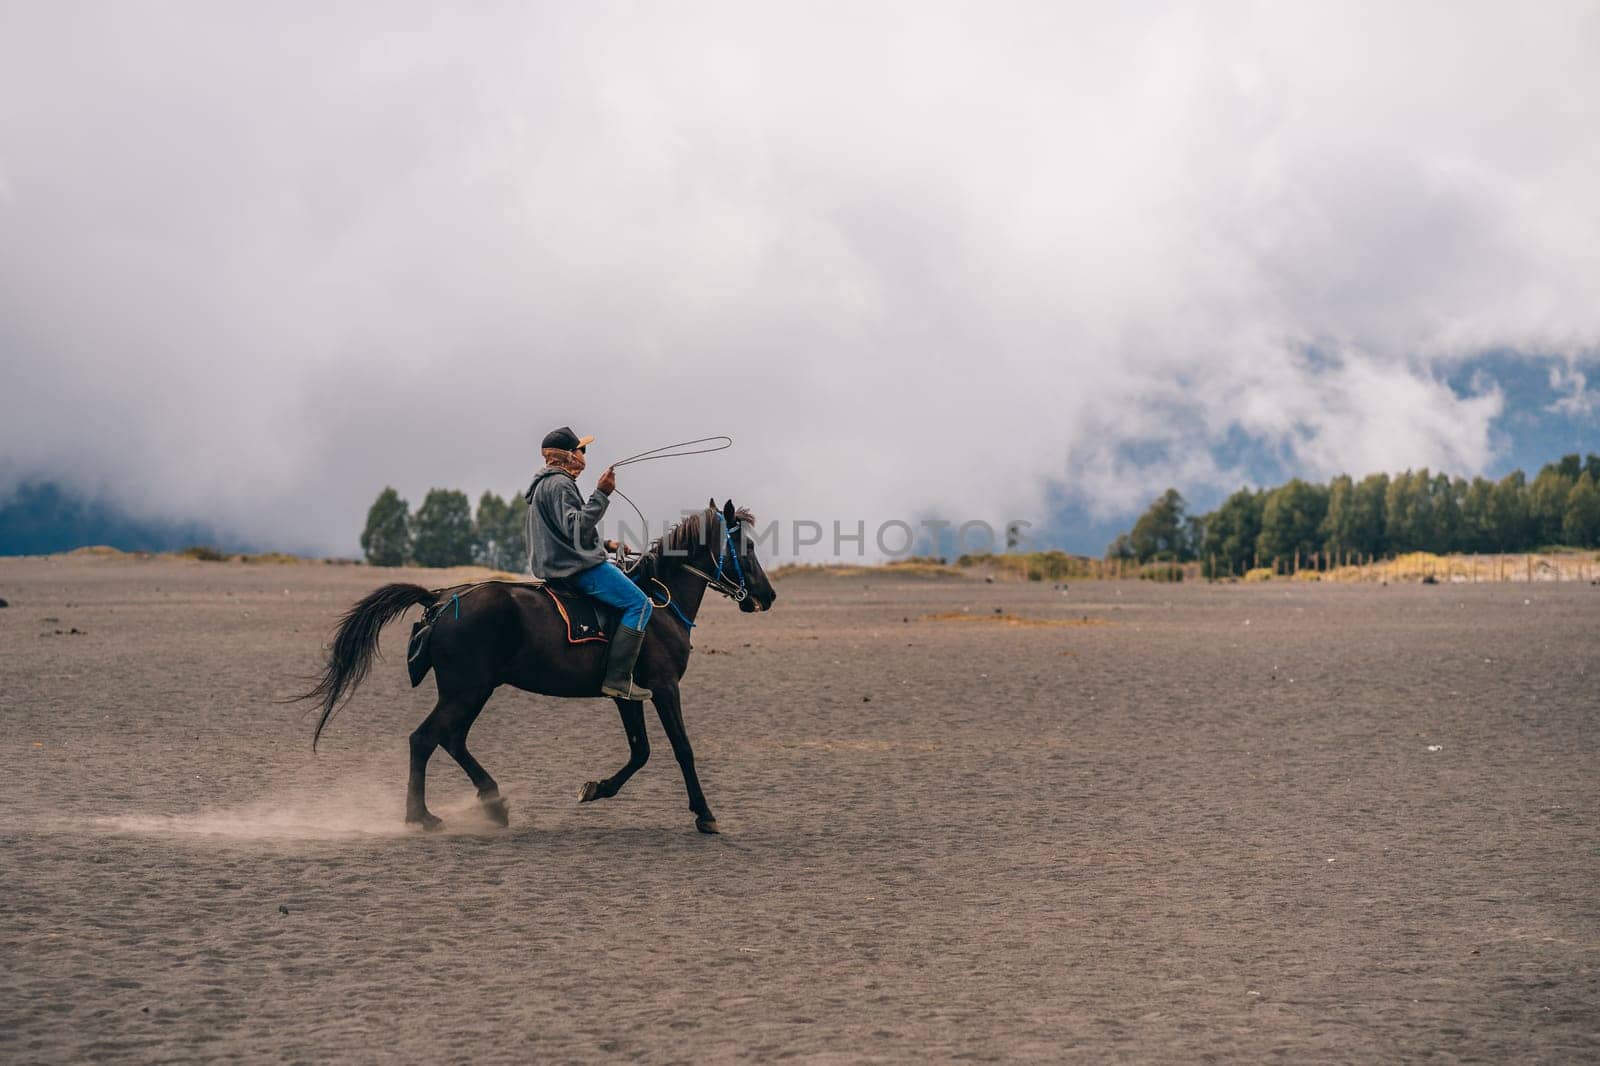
x,y
564,545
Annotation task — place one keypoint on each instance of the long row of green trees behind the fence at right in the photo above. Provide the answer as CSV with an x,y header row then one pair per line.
x,y
1377,516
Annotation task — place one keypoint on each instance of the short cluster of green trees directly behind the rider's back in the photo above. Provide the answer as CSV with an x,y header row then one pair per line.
x,y
444,532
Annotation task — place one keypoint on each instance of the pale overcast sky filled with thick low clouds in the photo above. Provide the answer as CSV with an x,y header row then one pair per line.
x,y
257,262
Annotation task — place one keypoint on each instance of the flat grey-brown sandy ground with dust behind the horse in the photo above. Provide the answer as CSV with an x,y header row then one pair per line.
x,y
1302,822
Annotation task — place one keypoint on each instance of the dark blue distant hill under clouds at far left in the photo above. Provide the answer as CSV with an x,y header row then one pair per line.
x,y
42,518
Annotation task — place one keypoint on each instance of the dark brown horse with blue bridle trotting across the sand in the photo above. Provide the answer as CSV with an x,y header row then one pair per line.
x,y
500,633
